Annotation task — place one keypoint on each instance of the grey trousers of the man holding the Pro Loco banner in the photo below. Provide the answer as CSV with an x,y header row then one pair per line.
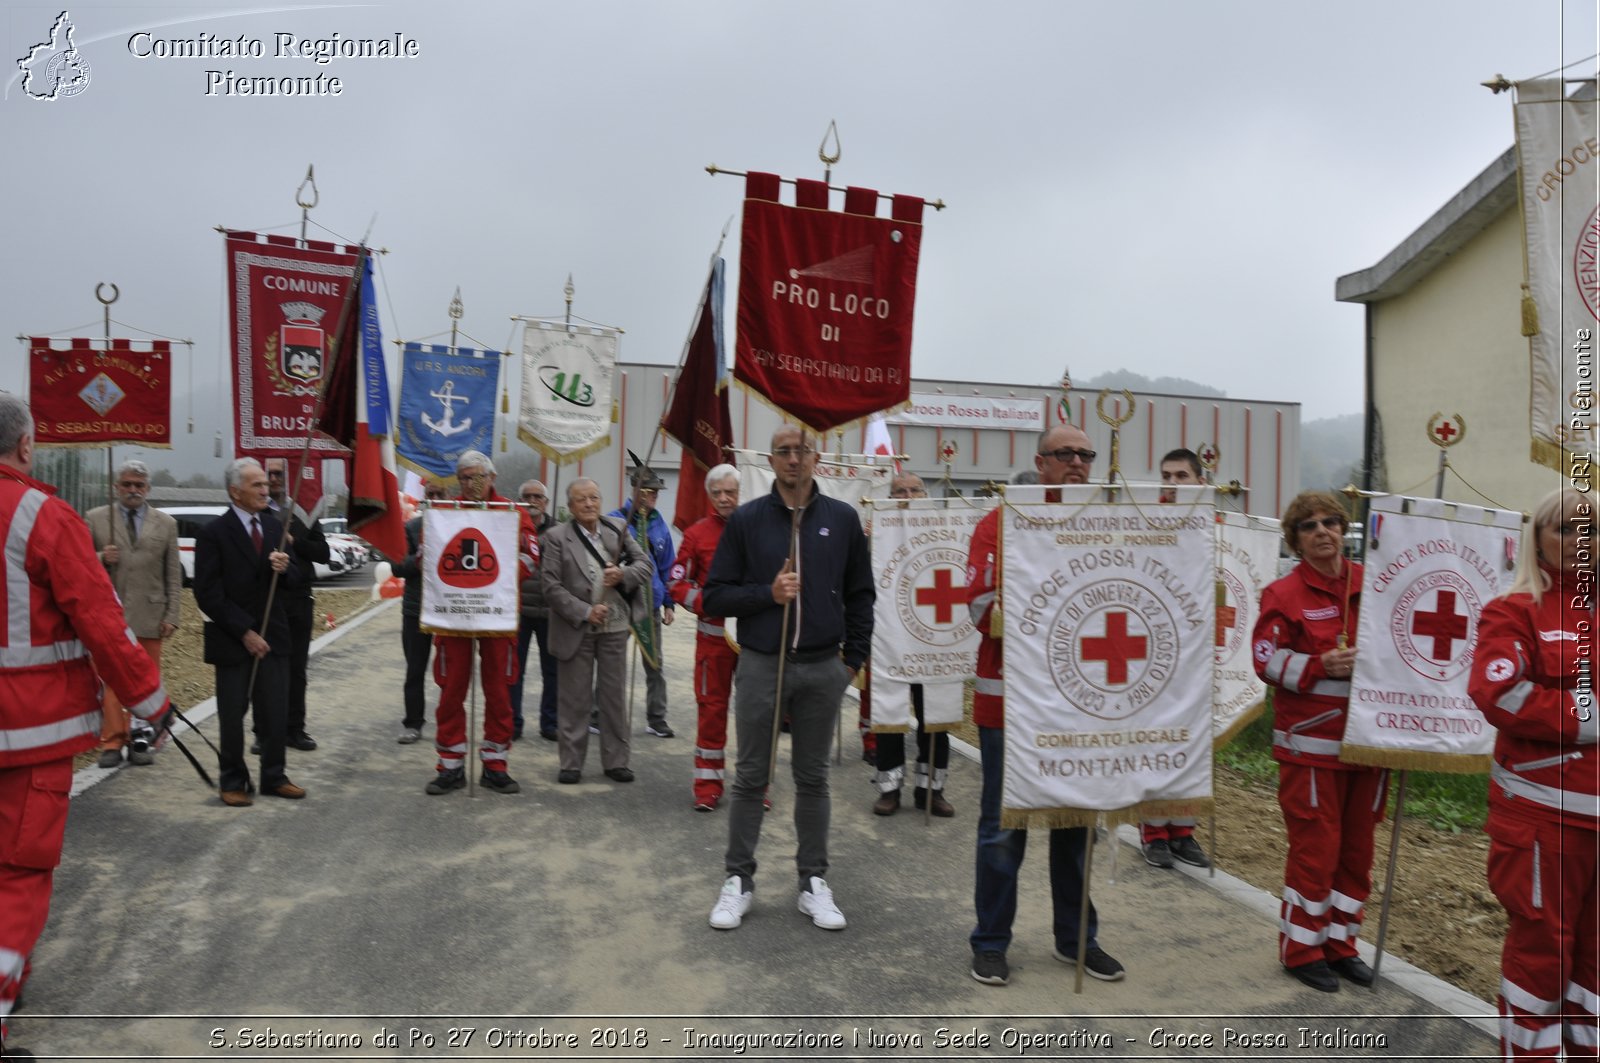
x,y
810,697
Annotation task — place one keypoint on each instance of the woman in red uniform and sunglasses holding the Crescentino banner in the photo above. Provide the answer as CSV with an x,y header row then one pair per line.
x,y
1330,809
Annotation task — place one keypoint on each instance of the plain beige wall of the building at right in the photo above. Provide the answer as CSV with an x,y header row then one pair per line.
x,y
1454,345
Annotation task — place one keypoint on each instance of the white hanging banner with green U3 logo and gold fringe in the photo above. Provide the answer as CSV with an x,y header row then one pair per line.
x,y
567,380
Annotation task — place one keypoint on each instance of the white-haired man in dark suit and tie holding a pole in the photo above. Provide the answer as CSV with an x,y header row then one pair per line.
x,y
236,560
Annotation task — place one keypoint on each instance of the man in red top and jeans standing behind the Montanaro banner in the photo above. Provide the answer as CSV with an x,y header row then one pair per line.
x,y
1063,457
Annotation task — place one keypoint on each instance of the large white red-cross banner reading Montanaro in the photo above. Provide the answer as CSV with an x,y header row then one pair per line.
x,y
1110,649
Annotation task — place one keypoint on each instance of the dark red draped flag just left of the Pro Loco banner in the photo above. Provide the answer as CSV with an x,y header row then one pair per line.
x,y
698,417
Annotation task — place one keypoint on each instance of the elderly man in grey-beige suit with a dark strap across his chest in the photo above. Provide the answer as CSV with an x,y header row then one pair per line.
x,y
594,579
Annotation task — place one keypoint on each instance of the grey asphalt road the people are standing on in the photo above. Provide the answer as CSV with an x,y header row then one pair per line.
x,y
372,910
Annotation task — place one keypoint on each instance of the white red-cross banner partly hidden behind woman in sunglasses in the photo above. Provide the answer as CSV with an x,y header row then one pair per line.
x,y
1247,561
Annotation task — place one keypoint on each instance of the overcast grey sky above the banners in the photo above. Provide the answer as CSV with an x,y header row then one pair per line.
x,y
1170,188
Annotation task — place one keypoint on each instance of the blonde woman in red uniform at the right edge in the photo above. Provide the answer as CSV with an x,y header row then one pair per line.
x,y
1532,680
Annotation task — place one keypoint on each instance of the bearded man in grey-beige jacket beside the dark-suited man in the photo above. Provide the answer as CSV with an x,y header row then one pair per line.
x,y
138,545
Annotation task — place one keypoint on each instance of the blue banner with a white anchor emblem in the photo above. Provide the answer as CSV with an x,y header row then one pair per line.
x,y
447,406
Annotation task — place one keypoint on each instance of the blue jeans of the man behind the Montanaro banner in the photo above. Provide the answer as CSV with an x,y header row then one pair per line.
x,y
1001,859
